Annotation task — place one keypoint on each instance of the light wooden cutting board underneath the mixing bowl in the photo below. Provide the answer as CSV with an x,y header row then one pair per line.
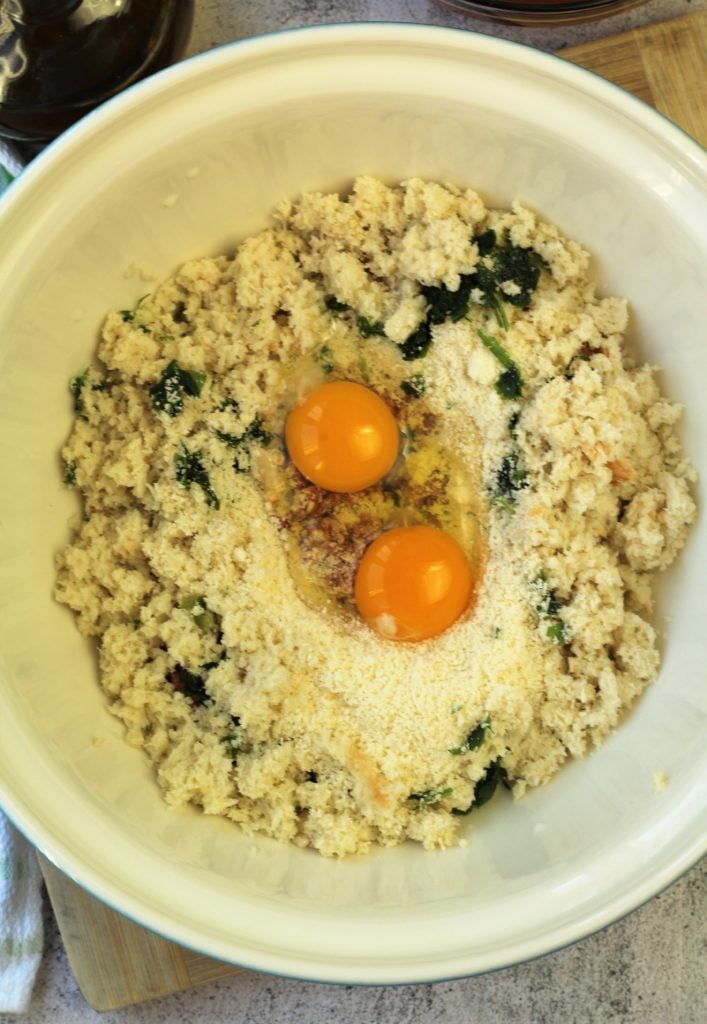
x,y
117,963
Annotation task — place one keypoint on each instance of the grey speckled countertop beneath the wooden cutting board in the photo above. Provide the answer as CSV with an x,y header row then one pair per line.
x,y
648,969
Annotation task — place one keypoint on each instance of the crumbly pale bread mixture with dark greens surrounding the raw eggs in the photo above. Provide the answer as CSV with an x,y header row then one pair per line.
x,y
252,698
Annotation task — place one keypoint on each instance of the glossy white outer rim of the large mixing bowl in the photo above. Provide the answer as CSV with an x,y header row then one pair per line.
x,y
99,882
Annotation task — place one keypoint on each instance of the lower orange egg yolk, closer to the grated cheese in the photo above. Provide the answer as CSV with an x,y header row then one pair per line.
x,y
412,583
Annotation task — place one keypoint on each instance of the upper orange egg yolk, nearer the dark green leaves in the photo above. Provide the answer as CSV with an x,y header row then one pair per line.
x,y
343,437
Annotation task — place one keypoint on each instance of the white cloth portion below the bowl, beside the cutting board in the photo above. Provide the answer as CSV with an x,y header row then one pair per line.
x,y
21,920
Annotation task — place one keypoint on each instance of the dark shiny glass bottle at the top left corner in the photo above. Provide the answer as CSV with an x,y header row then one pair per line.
x,y
60,59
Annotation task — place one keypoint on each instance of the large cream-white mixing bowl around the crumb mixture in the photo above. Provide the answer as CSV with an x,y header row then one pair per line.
x,y
186,165
